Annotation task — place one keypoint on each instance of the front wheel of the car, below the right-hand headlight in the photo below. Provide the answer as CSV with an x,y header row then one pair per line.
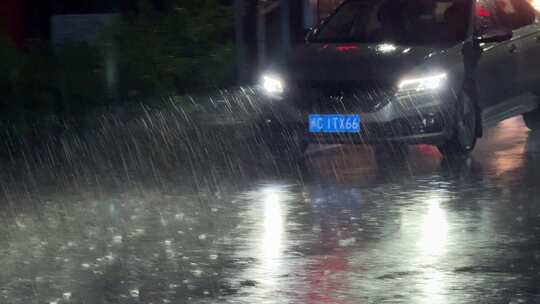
x,y
465,131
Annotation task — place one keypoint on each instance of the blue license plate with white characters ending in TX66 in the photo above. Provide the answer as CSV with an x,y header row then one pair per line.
x,y
335,123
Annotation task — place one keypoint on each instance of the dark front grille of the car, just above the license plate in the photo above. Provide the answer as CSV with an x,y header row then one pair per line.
x,y
342,96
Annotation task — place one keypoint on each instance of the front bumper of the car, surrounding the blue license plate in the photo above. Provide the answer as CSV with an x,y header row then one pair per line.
x,y
419,118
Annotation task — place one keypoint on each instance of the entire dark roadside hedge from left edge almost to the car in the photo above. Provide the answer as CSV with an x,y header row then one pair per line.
x,y
184,46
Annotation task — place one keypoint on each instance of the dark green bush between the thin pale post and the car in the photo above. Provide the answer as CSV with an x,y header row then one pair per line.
x,y
183,48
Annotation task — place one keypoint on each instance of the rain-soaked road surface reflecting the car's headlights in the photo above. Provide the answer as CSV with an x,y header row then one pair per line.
x,y
345,229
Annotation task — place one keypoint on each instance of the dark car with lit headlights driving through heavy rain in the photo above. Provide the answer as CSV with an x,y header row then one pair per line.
x,y
401,72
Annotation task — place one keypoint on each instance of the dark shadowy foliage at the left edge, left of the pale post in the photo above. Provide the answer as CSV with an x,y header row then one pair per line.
x,y
41,81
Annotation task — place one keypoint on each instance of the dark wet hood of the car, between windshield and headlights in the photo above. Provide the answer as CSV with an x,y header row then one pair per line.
x,y
353,62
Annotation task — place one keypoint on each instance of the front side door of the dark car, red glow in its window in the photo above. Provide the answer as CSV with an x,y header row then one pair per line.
x,y
503,69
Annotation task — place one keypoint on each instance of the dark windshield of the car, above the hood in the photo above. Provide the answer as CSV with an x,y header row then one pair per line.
x,y
409,22
